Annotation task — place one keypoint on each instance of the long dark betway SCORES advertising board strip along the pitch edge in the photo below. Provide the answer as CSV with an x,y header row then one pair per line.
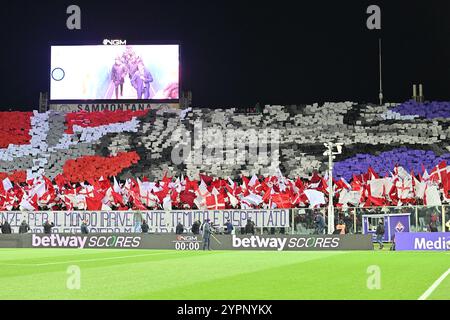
x,y
188,242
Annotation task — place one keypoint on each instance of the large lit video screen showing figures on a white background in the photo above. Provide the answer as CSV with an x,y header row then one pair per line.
x,y
127,72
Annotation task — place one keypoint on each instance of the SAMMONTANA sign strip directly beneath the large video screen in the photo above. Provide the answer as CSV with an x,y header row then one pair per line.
x,y
97,107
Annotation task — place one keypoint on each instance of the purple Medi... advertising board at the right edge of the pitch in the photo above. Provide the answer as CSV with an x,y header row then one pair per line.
x,y
431,241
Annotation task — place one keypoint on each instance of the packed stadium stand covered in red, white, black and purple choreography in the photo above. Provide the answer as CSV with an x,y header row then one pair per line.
x,y
402,143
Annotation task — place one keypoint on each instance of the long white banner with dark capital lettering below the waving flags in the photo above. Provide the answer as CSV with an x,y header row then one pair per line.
x,y
158,221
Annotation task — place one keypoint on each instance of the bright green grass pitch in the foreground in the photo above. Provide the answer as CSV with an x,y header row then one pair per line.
x,y
136,274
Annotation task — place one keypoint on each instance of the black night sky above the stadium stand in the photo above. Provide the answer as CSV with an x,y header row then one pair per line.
x,y
238,53
